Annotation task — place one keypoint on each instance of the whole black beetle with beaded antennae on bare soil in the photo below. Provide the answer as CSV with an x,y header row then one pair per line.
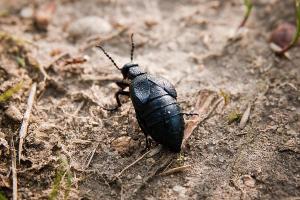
x,y
154,101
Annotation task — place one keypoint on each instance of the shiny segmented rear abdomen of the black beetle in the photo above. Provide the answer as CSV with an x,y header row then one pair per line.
x,y
163,121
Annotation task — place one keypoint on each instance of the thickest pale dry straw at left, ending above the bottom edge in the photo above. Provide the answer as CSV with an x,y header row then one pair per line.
x,y
23,130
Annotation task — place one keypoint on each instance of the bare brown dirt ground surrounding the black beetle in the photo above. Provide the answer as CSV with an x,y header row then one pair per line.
x,y
74,149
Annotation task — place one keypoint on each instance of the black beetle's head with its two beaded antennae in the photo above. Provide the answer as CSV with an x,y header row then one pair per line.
x,y
129,70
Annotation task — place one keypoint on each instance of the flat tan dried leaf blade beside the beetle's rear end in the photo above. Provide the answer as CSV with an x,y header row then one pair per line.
x,y
205,105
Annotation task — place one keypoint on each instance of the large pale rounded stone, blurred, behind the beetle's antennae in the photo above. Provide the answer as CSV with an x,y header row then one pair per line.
x,y
88,26
